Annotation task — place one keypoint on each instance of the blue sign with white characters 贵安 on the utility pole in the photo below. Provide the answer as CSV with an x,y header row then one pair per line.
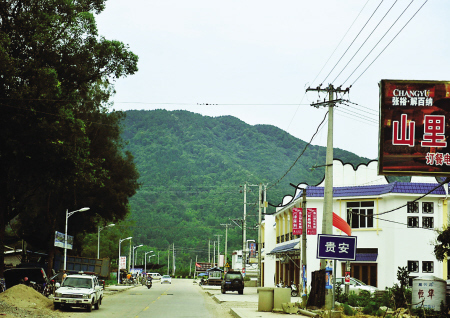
x,y
336,247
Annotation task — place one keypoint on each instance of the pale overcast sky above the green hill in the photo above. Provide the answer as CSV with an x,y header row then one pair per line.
x,y
254,60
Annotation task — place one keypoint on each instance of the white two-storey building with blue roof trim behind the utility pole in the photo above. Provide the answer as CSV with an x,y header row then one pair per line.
x,y
393,223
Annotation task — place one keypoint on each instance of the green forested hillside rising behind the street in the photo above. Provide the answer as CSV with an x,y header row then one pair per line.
x,y
192,168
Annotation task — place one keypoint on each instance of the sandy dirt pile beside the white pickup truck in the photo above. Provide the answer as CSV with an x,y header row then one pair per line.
x,y
24,301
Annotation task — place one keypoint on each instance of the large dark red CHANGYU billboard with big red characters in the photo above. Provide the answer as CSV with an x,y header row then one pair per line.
x,y
414,128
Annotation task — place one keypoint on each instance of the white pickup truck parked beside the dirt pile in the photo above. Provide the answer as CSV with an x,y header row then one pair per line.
x,y
79,291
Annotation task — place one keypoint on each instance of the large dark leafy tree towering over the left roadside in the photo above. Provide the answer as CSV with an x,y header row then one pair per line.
x,y
56,77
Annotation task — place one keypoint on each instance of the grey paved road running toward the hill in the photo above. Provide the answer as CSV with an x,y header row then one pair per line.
x,y
182,298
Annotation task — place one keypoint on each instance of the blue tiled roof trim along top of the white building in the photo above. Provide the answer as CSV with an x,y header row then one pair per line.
x,y
379,189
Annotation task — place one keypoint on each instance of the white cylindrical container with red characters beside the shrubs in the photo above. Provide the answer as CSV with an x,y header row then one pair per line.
x,y
429,292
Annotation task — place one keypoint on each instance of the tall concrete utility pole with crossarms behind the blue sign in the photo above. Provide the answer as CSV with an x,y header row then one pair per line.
x,y
327,219
